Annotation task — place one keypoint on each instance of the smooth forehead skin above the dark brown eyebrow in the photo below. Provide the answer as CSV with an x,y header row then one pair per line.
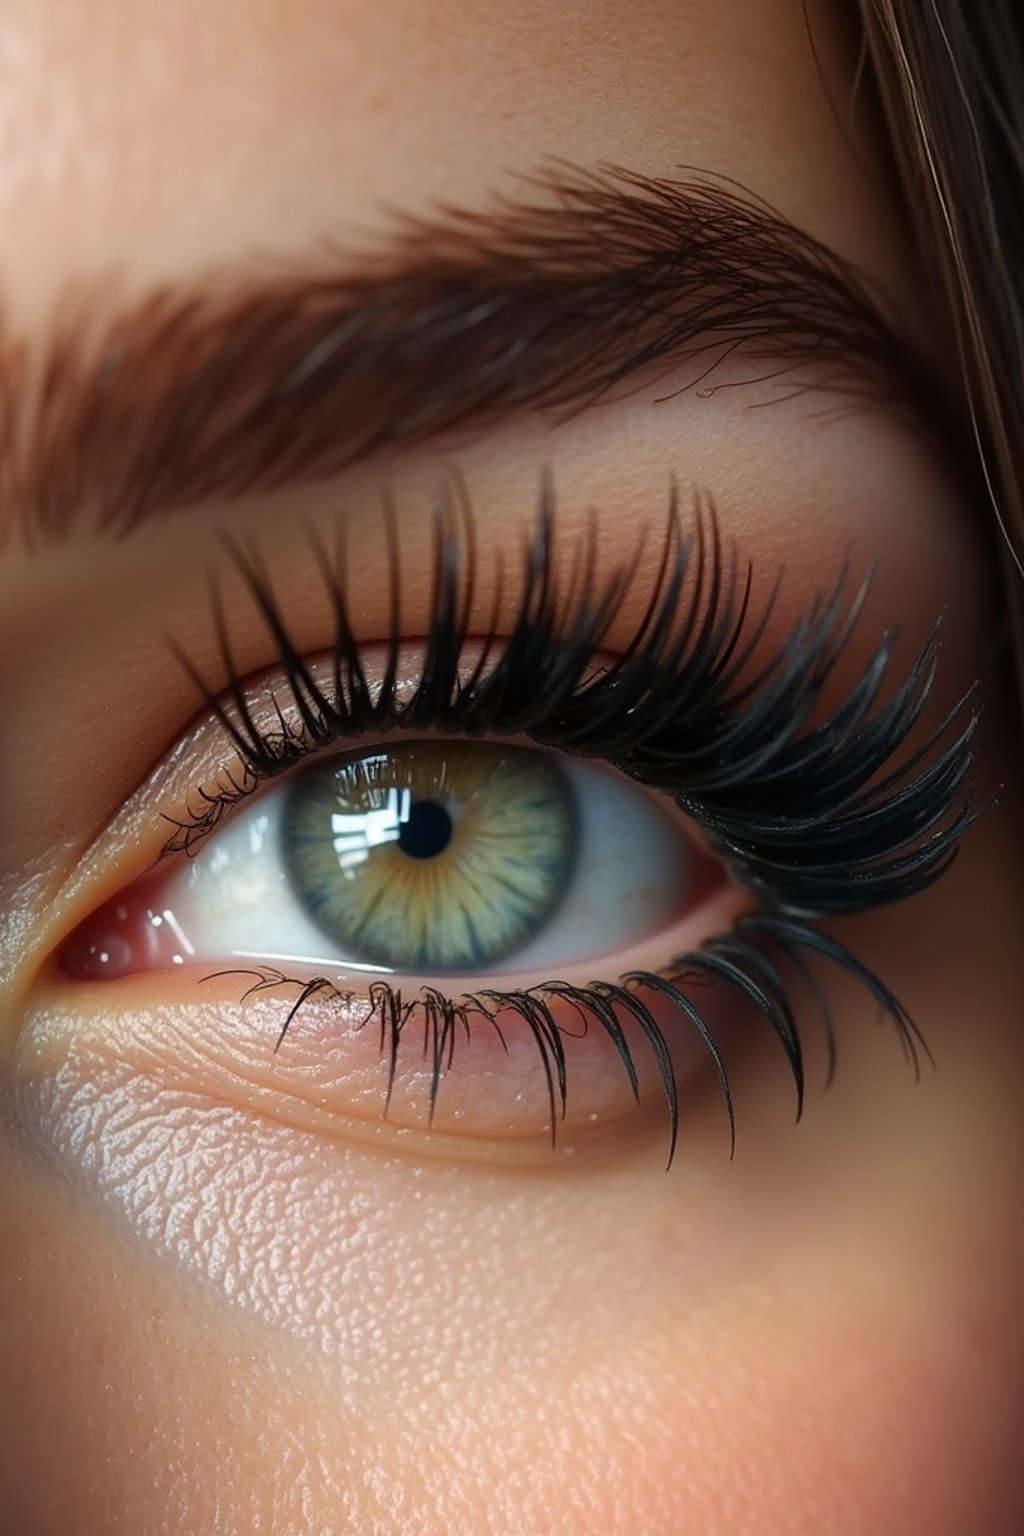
x,y
157,139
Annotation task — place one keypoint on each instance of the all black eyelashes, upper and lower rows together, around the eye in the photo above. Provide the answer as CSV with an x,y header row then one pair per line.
x,y
811,818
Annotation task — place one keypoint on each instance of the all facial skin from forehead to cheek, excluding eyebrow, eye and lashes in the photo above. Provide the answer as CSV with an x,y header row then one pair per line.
x,y
220,1313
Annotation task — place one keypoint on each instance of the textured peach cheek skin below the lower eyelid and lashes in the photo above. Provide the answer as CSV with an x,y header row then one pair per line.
x,y
818,1337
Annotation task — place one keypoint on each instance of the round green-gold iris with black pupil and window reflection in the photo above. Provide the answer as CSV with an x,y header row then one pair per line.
x,y
432,856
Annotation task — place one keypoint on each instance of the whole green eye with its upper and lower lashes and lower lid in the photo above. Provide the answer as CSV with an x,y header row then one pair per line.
x,y
481,889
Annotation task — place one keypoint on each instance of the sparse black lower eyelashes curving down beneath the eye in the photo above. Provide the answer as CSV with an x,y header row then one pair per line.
x,y
750,962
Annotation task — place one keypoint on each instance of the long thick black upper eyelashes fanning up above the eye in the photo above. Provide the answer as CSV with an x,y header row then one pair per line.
x,y
814,821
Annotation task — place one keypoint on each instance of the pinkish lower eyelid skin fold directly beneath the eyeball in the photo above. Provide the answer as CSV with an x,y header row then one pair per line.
x,y
331,1073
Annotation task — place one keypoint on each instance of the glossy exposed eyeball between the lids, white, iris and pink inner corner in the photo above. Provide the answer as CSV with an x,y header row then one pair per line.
x,y
424,858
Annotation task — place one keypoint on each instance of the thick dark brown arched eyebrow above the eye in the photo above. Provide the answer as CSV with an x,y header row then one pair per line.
x,y
257,377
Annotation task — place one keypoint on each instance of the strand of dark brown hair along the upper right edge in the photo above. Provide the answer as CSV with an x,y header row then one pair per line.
x,y
951,79
